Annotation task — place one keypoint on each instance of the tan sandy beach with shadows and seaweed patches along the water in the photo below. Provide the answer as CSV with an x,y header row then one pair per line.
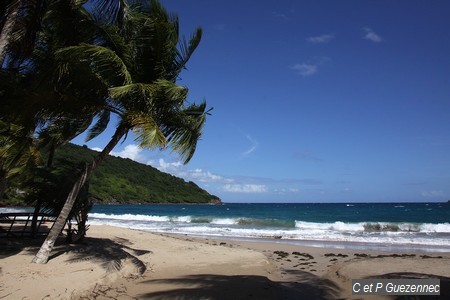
x,y
118,263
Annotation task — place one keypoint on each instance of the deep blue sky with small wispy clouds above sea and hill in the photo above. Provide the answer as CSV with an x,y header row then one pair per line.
x,y
316,101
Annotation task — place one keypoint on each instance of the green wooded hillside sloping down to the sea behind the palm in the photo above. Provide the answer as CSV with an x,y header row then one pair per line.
x,y
119,180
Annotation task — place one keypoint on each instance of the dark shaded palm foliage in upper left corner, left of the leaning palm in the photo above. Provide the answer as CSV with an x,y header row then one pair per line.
x,y
49,106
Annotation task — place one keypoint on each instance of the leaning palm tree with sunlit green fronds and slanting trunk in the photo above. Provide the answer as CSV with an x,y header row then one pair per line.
x,y
139,62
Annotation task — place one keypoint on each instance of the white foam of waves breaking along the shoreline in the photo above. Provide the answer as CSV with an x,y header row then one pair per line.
x,y
363,232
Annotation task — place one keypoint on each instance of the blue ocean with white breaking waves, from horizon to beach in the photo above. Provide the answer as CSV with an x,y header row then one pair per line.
x,y
365,226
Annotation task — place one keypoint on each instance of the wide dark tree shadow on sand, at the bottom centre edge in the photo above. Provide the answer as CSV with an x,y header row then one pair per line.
x,y
209,286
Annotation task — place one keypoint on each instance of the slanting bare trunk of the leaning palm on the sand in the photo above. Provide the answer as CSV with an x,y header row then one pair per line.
x,y
44,252
